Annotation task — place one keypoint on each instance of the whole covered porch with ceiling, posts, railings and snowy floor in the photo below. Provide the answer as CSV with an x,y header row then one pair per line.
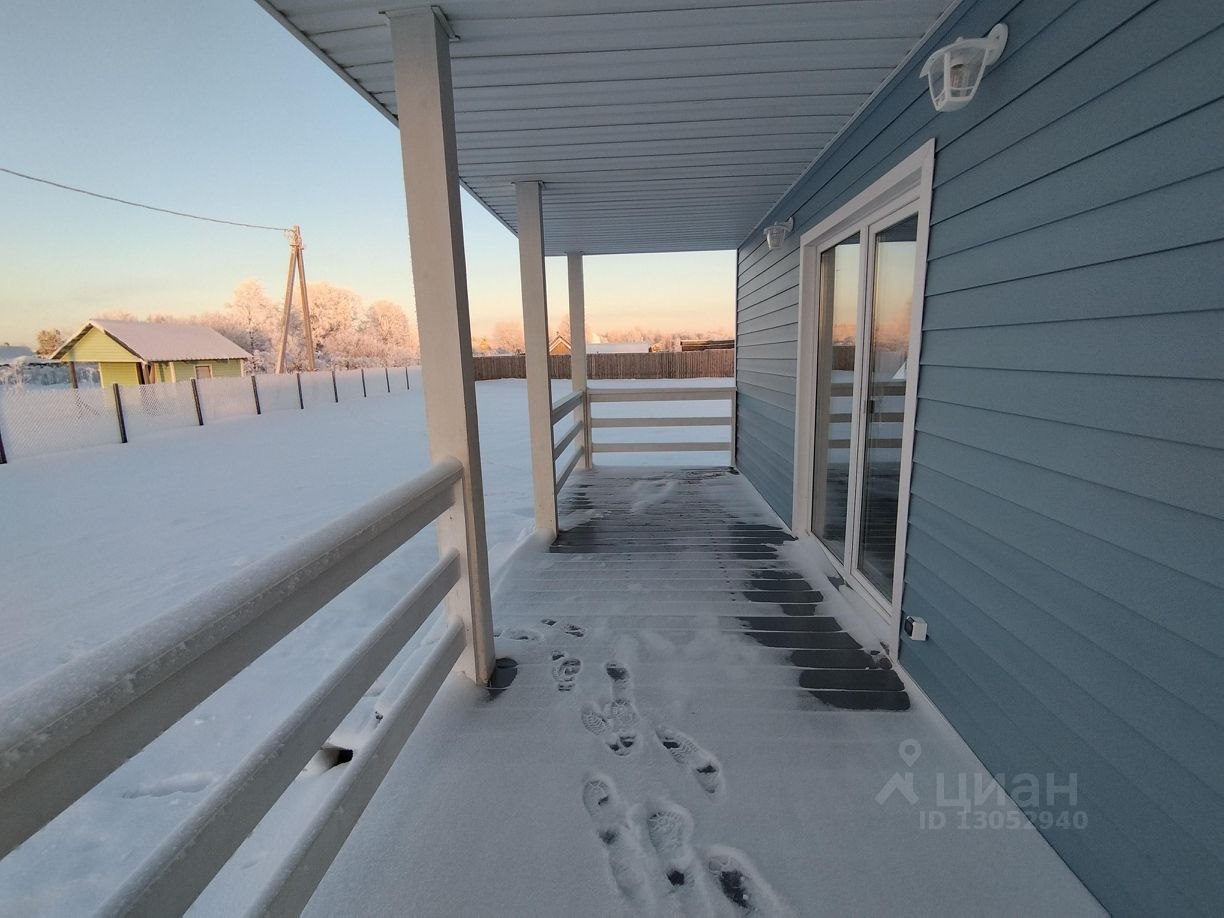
x,y
657,708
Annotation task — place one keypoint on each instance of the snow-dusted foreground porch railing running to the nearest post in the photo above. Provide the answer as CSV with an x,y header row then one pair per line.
x,y
63,734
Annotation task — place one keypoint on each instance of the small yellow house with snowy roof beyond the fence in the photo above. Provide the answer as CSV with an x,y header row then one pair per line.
x,y
138,353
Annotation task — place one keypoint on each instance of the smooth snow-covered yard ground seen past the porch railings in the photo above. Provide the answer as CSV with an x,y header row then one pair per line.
x,y
97,542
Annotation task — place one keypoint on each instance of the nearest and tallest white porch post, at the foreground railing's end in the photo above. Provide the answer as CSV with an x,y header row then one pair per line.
x,y
431,188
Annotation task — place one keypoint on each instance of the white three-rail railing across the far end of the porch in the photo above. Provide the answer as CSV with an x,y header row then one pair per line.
x,y
722,394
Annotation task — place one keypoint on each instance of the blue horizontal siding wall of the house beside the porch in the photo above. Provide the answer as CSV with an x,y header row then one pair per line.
x,y
1067,533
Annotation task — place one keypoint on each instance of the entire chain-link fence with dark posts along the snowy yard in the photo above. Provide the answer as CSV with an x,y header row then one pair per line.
x,y
37,422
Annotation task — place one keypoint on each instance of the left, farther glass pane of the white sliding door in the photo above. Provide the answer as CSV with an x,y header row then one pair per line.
x,y
837,334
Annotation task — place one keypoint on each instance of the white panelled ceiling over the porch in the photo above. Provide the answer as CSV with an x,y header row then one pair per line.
x,y
657,125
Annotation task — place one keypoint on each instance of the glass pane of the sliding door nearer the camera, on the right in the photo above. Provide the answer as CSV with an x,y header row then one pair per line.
x,y
895,252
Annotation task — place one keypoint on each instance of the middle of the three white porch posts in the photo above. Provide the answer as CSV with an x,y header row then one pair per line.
x,y
535,342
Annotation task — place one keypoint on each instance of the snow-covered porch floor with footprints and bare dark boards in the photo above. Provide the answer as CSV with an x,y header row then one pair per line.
x,y
686,726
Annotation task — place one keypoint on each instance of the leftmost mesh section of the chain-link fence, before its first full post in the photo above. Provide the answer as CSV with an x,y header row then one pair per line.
x,y
36,422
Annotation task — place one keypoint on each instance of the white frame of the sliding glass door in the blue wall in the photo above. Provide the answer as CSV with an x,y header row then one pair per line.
x,y
904,190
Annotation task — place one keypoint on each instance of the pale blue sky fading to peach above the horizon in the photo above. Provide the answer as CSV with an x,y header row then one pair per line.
x,y
214,108
